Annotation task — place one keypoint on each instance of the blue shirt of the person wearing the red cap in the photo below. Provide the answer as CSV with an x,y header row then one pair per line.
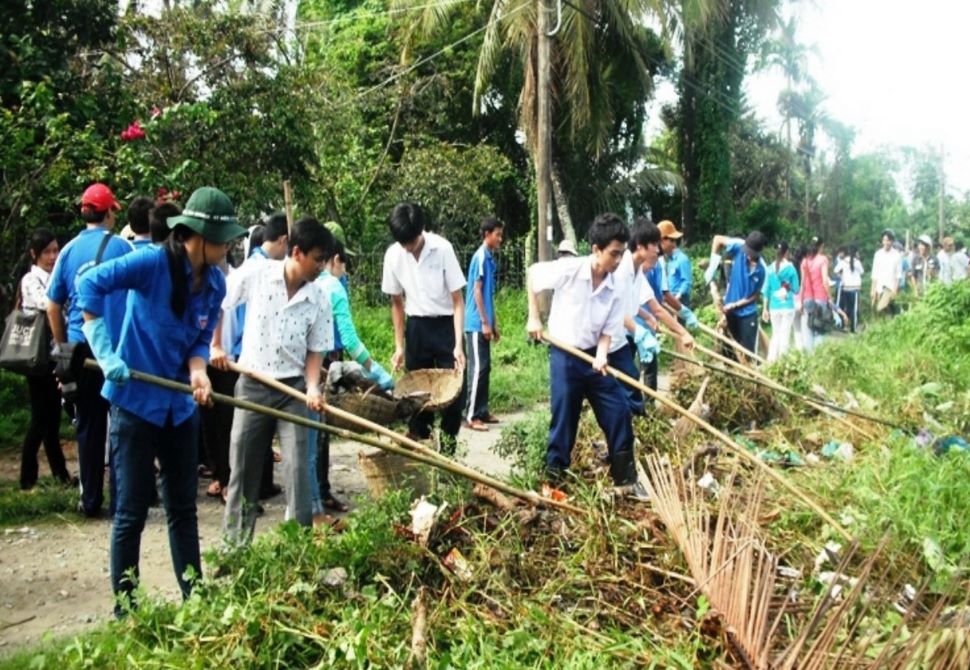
x,y
75,258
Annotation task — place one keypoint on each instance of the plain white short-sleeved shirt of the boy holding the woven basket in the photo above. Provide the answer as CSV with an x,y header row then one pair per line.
x,y
426,283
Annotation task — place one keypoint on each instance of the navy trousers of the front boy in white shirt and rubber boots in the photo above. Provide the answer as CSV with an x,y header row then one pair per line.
x,y
571,380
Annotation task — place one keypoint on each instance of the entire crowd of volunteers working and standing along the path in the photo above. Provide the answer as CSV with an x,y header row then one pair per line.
x,y
169,304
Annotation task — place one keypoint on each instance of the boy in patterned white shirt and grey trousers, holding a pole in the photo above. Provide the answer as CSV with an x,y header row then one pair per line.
x,y
289,325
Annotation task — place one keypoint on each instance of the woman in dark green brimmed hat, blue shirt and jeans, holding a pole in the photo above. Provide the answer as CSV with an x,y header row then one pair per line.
x,y
175,292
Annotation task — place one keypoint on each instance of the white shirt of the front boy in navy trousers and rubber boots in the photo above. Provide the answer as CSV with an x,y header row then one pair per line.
x,y
579,314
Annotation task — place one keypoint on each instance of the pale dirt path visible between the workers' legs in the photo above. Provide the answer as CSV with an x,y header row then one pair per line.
x,y
54,575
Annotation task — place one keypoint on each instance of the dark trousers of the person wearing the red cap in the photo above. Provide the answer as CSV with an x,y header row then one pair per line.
x,y
92,435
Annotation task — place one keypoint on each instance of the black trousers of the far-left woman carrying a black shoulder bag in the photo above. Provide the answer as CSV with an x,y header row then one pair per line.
x,y
44,428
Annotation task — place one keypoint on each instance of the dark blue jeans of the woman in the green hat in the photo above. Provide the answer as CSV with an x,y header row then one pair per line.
x,y
135,444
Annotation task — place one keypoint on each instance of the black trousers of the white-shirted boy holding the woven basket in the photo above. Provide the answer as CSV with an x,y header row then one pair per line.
x,y
429,342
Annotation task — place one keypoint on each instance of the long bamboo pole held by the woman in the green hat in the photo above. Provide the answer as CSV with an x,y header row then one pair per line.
x,y
439,462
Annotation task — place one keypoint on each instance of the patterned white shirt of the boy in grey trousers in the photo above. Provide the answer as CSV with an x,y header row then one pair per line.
x,y
279,331
